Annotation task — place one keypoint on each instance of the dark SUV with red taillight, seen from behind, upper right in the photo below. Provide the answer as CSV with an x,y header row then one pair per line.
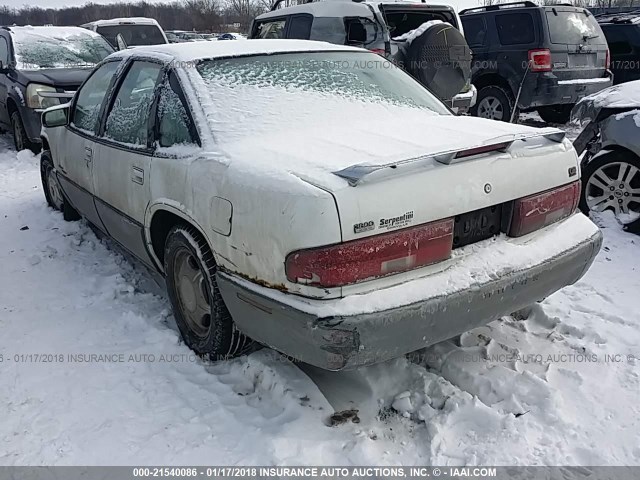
x,y
528,57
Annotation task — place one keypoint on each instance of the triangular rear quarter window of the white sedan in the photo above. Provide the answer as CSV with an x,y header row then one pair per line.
x,y
174,126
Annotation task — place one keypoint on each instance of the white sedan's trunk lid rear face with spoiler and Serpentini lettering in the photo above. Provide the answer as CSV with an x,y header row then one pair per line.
x,y
471,181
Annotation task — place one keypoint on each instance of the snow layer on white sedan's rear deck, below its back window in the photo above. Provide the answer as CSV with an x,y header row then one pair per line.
x,y
312,134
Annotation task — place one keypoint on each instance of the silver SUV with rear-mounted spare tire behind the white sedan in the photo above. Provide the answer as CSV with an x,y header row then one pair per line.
x,y
425,40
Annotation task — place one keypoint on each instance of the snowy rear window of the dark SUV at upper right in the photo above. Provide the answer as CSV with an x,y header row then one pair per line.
x,y
573,27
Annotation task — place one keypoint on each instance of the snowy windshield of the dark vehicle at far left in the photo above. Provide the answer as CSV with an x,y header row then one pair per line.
x,y
58,47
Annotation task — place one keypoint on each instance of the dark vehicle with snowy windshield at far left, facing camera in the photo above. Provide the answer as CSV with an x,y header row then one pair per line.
x,y
41,67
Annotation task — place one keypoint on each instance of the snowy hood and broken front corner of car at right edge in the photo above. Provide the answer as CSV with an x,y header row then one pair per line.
x,y
625,95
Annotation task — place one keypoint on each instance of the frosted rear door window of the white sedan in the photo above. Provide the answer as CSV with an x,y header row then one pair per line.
x,y
128,119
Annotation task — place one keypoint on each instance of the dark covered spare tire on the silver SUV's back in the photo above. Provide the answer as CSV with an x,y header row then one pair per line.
x,y
441,60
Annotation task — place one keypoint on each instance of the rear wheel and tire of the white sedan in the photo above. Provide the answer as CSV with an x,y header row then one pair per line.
x,y
202,317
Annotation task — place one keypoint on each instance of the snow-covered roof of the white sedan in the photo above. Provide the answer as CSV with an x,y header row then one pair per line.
x,y
189,52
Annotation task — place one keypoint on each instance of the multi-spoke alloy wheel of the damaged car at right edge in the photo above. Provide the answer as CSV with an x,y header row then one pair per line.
x,y
611,181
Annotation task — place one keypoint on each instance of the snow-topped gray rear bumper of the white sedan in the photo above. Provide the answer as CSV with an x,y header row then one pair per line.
x,y
351,332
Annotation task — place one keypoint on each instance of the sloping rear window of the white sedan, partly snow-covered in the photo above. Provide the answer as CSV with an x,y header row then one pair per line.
x,y
266,94
